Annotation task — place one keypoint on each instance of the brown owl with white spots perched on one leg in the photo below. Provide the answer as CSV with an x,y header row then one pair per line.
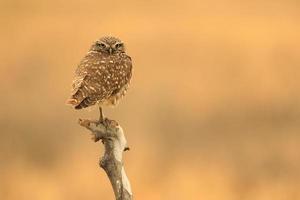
x,y
103,75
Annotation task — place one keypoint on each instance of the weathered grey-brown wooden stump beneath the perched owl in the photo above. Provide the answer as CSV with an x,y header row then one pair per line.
x,y
113,138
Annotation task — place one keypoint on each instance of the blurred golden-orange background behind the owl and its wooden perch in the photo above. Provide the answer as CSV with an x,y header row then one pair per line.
x,y
212,113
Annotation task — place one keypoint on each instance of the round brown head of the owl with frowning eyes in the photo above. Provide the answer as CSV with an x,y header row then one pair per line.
x,y
109,45
